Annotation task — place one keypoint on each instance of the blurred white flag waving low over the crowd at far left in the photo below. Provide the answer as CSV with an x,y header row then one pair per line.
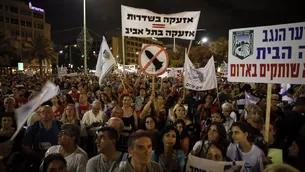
x,y
22,113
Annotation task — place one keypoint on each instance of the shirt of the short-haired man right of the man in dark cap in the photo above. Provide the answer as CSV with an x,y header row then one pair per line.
x,y
97,164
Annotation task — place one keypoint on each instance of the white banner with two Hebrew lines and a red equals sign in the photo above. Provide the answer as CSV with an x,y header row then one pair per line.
x,y
144,23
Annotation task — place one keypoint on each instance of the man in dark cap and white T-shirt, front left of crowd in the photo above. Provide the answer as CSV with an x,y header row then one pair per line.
x,y
75,156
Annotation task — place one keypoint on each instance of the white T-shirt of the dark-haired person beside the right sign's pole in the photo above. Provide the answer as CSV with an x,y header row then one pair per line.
x,y
253,159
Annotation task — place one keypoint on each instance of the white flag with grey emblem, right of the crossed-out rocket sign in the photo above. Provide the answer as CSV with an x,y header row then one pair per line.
x,y
199,79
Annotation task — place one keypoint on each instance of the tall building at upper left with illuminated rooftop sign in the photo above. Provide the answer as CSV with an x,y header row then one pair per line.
x,y
20,22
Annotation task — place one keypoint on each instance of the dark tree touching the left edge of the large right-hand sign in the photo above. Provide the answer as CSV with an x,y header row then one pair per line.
x,y
219,48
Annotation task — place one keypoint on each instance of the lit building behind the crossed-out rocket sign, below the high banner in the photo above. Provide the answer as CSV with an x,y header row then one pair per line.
x,y
133,46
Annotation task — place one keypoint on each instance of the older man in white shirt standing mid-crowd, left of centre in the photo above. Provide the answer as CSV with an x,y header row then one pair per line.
x,y
96,115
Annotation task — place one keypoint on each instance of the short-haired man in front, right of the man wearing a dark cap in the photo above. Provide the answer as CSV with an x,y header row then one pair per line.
x,y
109,158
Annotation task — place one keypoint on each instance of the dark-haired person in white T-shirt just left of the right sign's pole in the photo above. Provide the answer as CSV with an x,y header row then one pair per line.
x,y
243,148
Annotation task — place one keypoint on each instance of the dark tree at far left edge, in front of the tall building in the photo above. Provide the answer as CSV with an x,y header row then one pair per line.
x,y
7,48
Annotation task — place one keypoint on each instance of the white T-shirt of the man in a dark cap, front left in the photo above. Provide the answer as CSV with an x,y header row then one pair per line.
x,y
76,162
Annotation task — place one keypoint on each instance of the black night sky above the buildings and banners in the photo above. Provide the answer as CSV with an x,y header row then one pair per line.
x,y
217,16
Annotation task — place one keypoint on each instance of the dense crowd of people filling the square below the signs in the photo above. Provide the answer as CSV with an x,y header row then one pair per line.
x,y
132,124
